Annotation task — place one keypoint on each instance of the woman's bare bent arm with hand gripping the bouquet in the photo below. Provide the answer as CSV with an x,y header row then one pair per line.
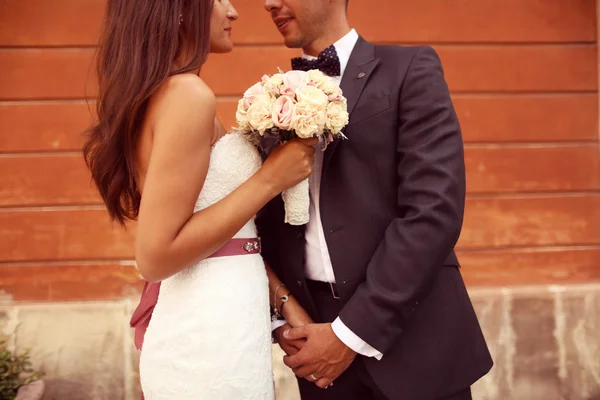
x,y
170,236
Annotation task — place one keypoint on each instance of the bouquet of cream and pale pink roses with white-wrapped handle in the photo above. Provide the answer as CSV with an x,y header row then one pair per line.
x,y
288,105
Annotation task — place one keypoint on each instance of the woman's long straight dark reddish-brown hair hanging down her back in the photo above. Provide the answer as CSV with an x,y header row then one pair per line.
x,y
140,41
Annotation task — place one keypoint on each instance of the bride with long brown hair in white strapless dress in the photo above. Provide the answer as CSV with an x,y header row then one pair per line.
x,y
158,155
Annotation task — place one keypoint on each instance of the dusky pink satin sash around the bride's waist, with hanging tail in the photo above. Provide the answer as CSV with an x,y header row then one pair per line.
x,y
143,312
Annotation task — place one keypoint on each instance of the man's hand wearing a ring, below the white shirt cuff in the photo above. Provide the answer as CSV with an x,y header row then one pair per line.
x,y
323,358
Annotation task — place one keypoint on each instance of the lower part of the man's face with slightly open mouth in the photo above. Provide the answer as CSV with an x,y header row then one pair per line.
x,y
300,22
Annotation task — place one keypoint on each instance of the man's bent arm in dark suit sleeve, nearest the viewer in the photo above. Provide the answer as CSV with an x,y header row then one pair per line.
x,y
431,199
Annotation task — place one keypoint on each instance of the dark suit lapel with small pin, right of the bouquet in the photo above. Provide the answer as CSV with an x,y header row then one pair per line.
x,y
361,65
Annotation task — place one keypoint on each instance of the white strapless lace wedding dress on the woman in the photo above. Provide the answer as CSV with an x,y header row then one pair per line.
x,y
210,337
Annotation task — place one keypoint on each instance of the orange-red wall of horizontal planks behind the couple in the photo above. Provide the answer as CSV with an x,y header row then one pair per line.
x,y
523,75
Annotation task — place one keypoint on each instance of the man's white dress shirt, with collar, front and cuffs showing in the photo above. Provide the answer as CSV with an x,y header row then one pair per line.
x,y
318,262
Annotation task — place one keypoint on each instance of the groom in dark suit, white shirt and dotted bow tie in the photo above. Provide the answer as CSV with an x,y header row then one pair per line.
x,y
375,267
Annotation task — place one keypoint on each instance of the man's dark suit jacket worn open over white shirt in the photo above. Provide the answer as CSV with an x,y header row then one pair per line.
x,y
392,202
